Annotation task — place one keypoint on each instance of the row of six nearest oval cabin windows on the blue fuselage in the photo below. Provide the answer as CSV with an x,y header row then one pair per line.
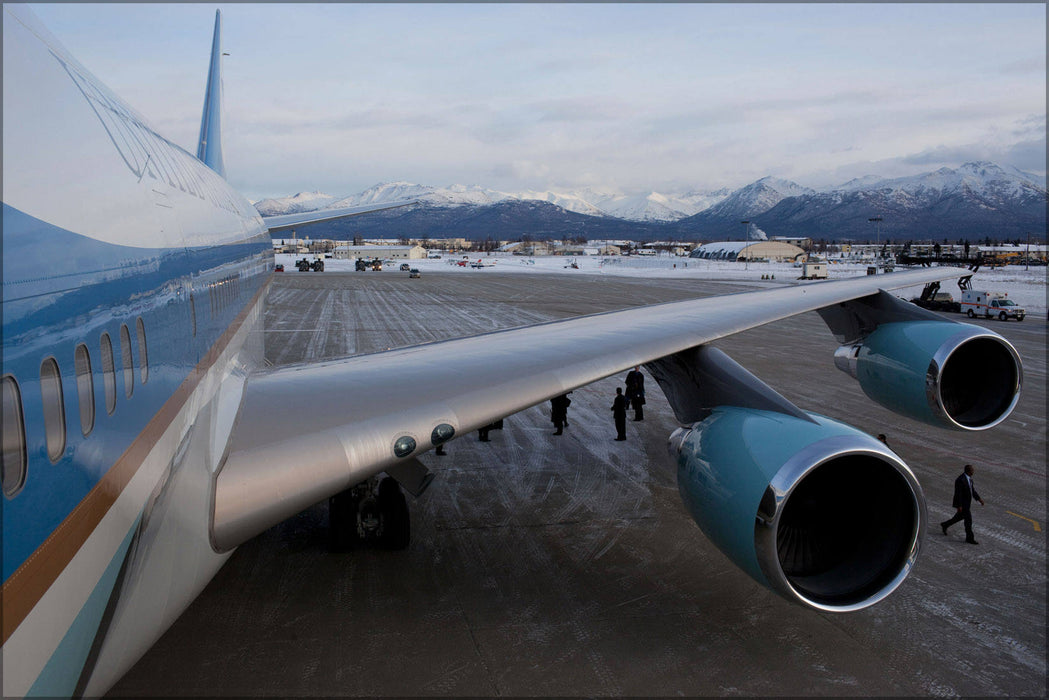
x,y
53,400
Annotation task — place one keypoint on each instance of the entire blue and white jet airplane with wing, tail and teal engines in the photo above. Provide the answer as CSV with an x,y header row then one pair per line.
x,y
143,441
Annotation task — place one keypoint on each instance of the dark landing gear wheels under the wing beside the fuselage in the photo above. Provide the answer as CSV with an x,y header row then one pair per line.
x,y
374,513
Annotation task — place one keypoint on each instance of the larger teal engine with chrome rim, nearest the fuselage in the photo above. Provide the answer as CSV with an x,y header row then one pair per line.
x,y
815,510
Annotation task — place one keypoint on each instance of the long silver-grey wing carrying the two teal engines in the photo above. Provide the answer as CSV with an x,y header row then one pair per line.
x,y
306,433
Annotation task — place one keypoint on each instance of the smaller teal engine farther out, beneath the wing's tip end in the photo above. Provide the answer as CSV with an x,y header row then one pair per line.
x,y
950,375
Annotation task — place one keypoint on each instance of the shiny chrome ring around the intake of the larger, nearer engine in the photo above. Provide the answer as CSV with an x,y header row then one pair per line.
x,y
783,484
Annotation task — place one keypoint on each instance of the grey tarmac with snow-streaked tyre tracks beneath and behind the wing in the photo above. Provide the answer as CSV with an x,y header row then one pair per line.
x,y
567,566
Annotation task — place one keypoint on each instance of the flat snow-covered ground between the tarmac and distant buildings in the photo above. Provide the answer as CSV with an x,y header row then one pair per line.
x,y
1026,288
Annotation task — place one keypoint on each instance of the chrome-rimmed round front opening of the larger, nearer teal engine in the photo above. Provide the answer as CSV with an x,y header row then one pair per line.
x,y
842,533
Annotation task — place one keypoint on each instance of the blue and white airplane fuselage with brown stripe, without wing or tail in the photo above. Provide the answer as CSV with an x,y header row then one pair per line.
x,y
132,288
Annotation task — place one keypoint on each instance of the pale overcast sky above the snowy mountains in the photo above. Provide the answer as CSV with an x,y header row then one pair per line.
x,y
631,98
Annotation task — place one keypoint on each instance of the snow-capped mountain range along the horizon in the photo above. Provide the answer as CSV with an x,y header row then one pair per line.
x,y
975,201
